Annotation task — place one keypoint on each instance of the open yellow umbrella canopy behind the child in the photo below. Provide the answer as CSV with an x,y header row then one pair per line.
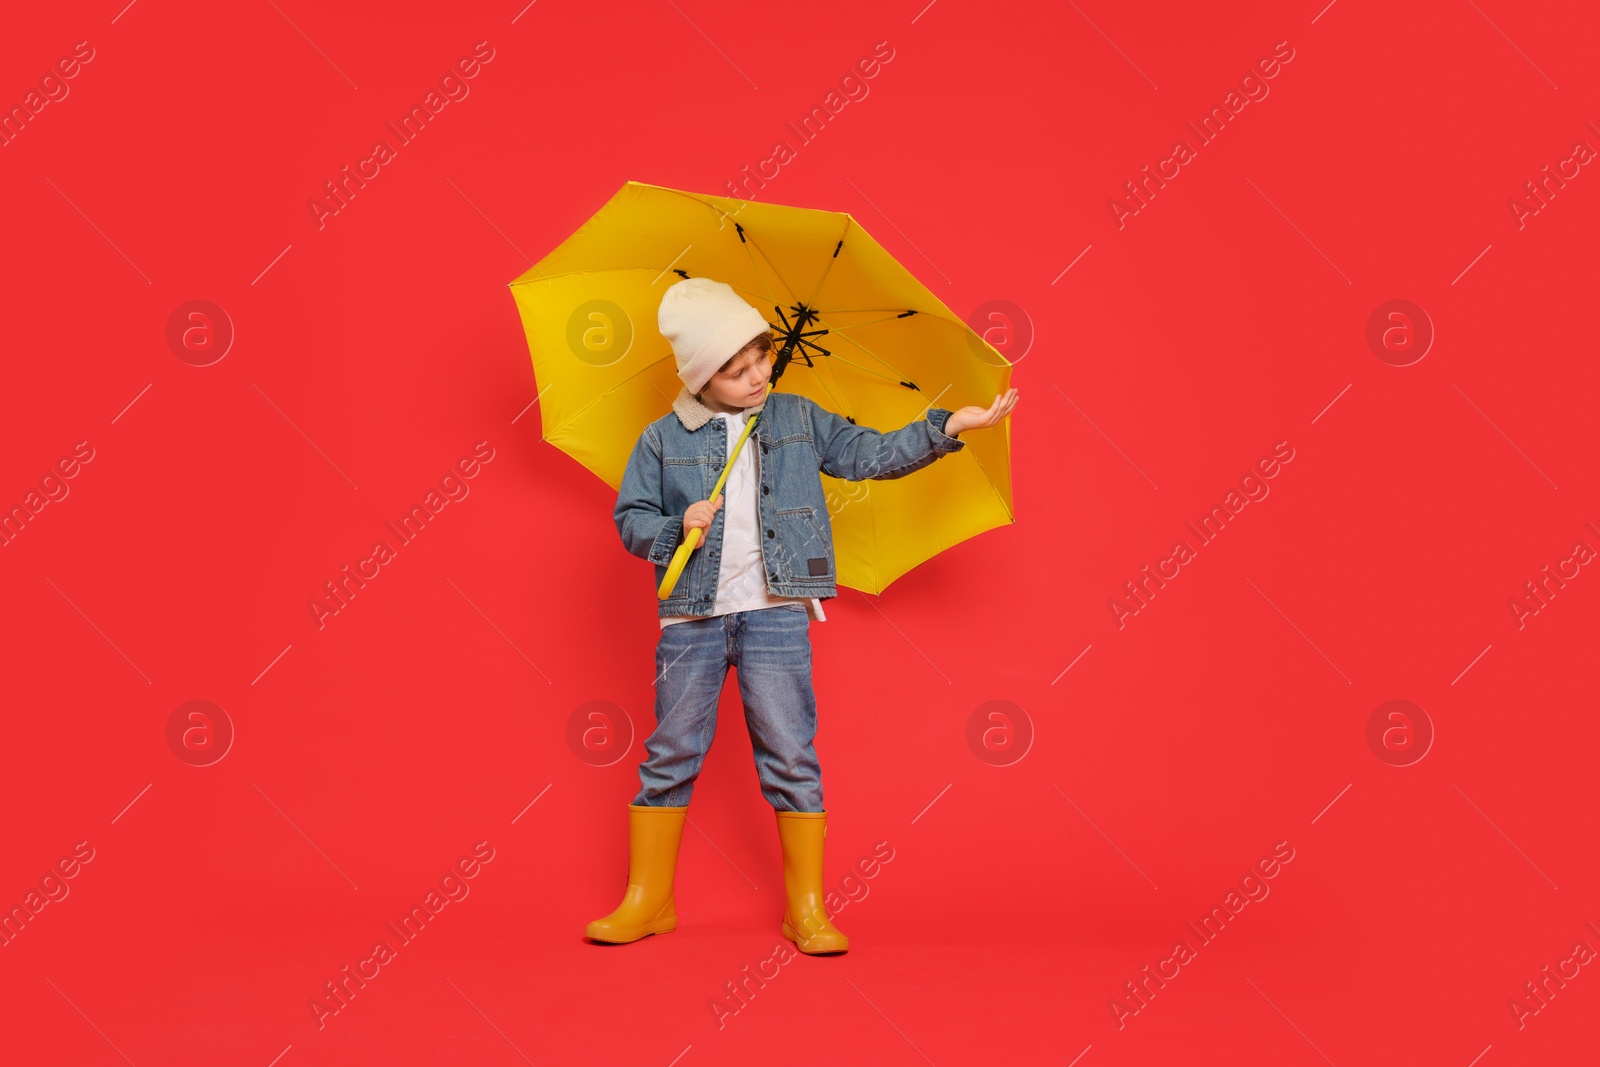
x,y
857,334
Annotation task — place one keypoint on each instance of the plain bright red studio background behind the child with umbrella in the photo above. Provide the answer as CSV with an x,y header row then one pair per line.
x,y
1228,716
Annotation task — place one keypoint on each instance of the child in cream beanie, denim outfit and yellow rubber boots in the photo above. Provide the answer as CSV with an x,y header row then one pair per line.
x,y
748,593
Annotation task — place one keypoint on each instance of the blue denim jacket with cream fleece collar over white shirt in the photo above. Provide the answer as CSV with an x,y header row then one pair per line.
x,y
679,458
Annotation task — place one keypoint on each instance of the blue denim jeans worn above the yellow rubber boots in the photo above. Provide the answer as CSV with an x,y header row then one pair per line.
x,y
772,652
